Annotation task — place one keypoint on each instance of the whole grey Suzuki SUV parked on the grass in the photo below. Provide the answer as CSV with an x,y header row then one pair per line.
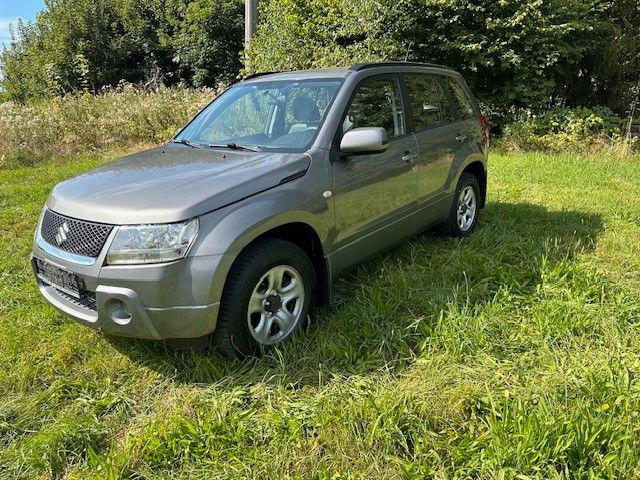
x,y
240,224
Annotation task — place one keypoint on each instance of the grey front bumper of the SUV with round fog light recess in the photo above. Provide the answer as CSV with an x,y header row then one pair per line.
x,y
156,301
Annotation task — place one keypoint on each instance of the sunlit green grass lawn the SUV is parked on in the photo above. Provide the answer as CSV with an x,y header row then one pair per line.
x,y
512,354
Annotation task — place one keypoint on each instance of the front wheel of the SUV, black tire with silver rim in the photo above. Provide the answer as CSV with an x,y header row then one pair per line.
x,y
237,331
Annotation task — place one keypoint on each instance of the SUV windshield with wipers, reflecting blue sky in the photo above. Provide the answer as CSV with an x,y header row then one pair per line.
x,y
276,115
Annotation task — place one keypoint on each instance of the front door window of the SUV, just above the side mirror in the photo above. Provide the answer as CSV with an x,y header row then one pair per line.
x,y
377,103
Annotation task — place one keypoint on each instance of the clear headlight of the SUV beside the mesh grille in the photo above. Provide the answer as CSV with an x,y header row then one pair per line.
x,y
152,243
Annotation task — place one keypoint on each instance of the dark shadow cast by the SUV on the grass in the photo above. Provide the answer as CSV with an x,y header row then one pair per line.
x,y
376,306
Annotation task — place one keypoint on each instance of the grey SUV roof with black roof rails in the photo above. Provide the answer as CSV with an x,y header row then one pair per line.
x,y
340,73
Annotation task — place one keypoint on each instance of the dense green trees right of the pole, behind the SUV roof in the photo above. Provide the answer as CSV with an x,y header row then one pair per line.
x,y
517,54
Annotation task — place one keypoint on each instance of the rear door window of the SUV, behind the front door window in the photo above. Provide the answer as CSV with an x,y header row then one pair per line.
x,y
429,105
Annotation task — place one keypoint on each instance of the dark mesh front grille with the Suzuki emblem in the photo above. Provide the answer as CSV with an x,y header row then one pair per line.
x,y
79,237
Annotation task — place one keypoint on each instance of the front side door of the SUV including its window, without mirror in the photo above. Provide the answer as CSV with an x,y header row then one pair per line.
x,y
375,194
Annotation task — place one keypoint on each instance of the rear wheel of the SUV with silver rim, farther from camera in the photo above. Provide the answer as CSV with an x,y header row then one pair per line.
x,y
463,216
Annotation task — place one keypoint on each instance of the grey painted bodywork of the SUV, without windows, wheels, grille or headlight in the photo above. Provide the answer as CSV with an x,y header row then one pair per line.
x,y
357,205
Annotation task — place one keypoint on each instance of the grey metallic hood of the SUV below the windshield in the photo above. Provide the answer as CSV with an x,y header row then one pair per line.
x,y
172,183
